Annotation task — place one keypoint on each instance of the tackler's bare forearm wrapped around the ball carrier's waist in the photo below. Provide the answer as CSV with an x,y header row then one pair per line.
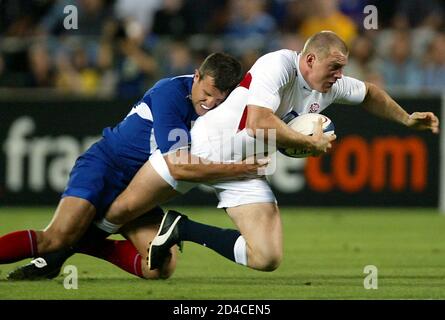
x,y
185,166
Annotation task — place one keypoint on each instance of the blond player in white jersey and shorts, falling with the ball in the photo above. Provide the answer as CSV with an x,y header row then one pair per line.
x,y
278,83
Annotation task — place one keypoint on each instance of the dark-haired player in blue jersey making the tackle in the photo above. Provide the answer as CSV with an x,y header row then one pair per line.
x,y
106,168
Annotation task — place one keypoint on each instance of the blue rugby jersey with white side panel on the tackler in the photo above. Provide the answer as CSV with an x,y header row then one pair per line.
x,y
163,108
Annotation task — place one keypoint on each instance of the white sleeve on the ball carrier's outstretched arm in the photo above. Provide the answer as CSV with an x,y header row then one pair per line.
x,y
348,90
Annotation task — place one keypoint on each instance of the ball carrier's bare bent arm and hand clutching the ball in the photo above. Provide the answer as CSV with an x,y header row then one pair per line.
x,y
262,119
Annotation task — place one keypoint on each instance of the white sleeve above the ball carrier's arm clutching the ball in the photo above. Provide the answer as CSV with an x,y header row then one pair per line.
x,y
269,74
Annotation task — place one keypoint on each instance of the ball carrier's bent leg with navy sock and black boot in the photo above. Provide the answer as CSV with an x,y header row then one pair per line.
x,y
257,243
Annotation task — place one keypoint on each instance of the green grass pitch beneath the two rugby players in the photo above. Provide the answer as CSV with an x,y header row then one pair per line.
x,y
325,252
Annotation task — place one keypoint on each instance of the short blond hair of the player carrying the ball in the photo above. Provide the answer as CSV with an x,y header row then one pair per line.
x,y
323,43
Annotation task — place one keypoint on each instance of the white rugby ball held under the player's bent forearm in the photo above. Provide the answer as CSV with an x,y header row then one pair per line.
x,y
306,124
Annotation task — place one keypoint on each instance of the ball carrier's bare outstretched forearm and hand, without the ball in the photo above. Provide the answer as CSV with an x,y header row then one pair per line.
x,y
379,103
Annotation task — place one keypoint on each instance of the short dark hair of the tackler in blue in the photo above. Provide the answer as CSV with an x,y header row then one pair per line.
x,y
224,69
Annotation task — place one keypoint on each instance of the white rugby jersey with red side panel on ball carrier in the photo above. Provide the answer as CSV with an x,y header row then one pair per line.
x,y
273,82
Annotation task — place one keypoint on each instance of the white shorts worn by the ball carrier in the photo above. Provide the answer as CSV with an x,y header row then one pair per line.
x,y
230,194
